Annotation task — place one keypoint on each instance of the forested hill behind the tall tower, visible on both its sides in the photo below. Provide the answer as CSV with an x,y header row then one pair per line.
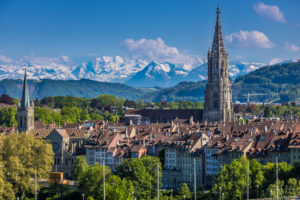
x,y
276,83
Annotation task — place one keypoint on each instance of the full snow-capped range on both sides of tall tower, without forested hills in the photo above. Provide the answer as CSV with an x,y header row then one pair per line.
x,y
135,72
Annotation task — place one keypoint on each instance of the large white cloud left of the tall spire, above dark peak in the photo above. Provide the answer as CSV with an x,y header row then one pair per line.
x,y
157,49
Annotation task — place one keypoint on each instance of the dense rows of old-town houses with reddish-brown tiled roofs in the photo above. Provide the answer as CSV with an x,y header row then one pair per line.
x,y
190,151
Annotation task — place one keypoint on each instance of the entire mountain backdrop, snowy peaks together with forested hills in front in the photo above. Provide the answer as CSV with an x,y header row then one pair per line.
x,y
273,83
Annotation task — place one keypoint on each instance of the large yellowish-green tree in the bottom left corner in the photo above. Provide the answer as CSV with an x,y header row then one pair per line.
x,y
19,155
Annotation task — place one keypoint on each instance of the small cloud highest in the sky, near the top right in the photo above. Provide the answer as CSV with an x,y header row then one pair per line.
x,y
269,11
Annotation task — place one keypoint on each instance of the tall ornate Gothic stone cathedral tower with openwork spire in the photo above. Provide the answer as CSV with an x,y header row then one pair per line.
x,y
218,96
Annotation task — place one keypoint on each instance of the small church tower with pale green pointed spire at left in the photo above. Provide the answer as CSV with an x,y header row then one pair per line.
x,y
25,111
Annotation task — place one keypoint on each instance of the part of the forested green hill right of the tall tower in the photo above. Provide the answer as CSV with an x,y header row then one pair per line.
x,y
278,83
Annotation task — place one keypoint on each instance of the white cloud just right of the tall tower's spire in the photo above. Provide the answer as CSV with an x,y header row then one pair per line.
x,y
251,39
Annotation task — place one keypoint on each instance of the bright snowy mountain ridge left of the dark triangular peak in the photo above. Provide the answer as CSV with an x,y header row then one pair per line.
x,y
105,69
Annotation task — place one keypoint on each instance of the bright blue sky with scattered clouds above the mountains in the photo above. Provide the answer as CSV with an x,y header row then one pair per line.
x,y
73,30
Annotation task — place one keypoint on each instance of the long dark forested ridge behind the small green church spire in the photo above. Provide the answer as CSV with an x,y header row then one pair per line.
x,y
78,88
